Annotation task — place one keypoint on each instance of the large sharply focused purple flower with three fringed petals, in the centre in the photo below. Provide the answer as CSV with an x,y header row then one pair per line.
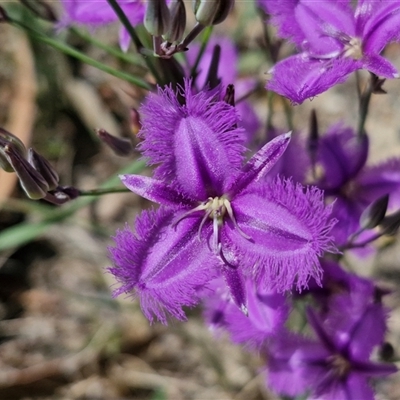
x,y
231,216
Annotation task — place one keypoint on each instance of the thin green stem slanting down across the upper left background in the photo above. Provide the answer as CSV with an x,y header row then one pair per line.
x,y
82,57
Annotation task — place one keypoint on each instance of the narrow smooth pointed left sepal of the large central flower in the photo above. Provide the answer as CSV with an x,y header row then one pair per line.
x,y
154,190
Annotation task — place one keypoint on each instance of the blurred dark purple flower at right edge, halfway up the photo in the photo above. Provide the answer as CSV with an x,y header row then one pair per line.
x,y
345,177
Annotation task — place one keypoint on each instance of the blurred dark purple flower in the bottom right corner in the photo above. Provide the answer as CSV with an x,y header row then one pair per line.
x,y
334,366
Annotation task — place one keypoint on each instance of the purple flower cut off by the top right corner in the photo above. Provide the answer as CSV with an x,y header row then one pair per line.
x,y
334,40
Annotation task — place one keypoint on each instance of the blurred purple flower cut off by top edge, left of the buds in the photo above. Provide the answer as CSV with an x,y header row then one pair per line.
x,y
95,13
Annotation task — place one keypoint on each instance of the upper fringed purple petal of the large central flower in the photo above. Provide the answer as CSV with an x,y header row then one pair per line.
x,y
197,144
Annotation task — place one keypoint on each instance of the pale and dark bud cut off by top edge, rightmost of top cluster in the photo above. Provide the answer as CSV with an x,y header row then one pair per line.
x,y
212,12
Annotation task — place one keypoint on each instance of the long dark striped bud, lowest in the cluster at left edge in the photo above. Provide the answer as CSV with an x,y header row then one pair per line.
x,y
31,181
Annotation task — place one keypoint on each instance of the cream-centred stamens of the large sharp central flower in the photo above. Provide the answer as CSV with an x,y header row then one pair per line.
x,y
214,208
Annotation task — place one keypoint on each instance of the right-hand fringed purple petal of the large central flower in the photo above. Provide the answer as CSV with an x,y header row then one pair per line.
x,y
289,228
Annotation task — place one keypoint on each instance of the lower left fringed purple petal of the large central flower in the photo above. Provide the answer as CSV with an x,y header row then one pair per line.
x,y
164,266
